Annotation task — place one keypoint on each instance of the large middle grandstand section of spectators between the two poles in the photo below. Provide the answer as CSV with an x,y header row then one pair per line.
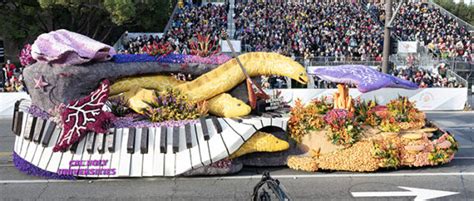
x,y
340,30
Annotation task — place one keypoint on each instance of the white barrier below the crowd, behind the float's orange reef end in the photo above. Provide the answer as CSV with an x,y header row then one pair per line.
x,y
425,99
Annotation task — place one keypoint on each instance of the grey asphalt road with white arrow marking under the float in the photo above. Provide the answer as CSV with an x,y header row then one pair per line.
x,y
456,177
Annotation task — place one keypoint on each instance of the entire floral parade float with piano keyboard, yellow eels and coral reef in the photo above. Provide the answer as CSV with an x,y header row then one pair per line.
x,y
94,113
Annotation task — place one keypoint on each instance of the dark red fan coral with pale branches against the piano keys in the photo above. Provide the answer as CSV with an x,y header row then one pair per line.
x,y
84,115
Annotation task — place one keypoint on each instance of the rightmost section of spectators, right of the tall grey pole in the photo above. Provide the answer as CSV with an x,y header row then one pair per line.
x,y
440,33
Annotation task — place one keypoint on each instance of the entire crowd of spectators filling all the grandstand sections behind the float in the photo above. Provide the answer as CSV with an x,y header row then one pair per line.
x,y
338,30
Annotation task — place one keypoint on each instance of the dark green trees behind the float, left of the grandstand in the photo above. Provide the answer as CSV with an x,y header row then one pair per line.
x,y
104,20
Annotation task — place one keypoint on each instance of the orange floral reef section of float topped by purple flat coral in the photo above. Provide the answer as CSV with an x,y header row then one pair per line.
x,y
361,135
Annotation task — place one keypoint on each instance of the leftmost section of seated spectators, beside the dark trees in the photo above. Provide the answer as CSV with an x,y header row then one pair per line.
x,y
208,20
